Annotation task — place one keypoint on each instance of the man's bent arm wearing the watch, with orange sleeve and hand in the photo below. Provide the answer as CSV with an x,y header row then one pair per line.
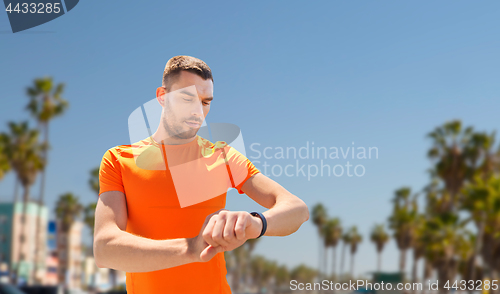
x,y
230,229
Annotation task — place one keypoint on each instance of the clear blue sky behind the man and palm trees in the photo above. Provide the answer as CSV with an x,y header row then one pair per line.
x,y
377,73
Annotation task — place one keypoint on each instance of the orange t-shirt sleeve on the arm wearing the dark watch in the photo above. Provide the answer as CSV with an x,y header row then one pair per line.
x,y
240,168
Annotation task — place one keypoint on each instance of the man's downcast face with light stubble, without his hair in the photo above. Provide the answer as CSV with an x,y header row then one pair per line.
x,y
186,105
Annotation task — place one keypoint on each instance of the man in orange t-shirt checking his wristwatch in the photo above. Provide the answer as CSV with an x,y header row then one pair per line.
x,y
160,216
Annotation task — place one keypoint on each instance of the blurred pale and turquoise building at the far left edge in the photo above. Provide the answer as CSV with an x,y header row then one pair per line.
x,y
10,244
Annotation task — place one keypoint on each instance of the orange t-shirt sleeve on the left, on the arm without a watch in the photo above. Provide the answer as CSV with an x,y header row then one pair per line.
x,y
110,177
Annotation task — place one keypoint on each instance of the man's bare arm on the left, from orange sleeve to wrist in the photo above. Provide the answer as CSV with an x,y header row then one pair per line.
x,y
117,249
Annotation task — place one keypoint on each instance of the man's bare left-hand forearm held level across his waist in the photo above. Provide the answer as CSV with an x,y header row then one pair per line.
x,y
124,251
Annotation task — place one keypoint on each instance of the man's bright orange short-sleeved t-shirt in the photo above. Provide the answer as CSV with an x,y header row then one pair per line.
x,y
170,189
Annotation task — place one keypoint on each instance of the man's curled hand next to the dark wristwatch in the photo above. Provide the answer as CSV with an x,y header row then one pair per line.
x,y
224,231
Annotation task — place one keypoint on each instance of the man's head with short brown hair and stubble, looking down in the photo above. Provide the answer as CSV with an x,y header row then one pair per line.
x,y
185,95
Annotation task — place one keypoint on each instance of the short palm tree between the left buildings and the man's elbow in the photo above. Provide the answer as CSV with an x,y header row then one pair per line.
x,y
67,210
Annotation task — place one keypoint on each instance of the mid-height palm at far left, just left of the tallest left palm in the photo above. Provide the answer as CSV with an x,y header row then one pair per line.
x,y
23,150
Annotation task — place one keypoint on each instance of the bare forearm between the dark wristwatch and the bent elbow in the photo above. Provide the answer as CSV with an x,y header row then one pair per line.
x,y
286,216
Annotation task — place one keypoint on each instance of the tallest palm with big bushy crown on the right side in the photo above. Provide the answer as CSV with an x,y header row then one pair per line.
x,y
461,156
